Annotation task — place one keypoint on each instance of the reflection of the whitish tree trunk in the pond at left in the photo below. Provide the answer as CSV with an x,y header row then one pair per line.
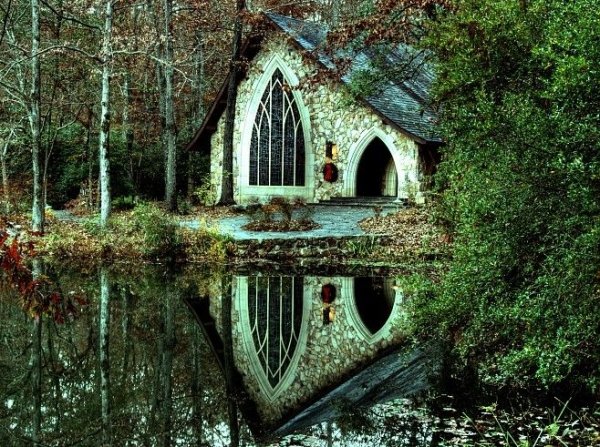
x,y
105,357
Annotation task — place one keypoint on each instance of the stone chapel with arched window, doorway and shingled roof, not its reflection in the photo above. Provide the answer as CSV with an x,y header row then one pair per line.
x,y
295,138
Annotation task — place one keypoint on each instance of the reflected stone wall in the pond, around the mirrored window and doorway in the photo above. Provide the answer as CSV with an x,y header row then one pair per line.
x,y
327,353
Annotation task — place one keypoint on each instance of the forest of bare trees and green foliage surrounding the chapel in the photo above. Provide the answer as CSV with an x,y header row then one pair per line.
x,y
100,99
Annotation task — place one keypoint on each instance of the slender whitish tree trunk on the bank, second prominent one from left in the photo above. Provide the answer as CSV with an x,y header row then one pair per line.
x,y
105,117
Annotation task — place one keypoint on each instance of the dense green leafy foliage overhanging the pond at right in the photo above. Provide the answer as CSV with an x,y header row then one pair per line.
x,y
520,88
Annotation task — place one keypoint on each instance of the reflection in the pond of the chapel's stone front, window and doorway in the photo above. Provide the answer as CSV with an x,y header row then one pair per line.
x,y
295,337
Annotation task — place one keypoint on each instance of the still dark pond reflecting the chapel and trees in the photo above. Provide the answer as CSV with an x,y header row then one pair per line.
x,y
212,356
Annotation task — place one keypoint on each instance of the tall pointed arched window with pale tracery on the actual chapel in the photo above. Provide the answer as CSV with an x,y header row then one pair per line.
x,y
277,153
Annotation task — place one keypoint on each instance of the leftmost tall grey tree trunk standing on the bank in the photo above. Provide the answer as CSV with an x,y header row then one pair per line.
x,y
37,213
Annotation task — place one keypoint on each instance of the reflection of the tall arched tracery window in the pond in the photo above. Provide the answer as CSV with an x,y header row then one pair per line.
x,y
275,315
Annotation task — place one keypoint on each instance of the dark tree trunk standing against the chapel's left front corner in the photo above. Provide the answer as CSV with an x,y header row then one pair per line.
x,y
227,179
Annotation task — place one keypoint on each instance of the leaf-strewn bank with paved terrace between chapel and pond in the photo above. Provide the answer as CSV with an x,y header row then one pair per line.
x,y
365,234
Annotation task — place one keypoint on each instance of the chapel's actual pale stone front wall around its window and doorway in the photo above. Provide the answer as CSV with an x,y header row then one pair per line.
x,y
333,116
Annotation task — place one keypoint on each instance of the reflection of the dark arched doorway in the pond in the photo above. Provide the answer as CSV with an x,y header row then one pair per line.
x,y
374,299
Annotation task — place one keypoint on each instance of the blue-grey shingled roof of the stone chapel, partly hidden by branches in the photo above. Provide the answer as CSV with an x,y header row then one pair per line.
x,y
403,104
